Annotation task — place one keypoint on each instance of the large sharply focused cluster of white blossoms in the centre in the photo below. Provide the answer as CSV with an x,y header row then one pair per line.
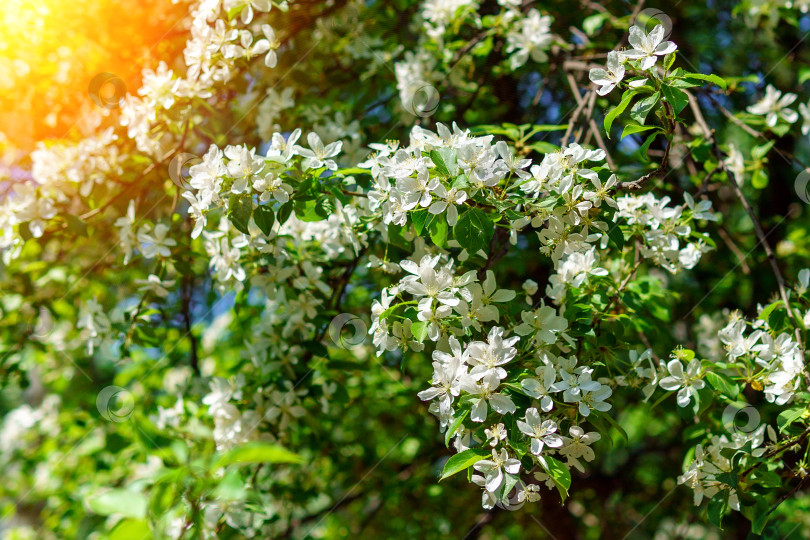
x,y
478,383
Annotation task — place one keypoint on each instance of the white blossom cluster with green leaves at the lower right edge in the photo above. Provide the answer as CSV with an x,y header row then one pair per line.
x,y
766,358
